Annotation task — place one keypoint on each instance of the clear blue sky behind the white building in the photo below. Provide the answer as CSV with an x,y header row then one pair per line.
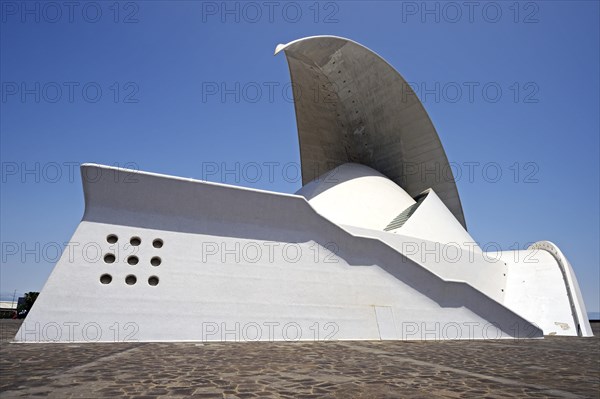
x,y
512,88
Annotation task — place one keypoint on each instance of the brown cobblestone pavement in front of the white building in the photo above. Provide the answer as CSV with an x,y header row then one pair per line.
x,y
552,367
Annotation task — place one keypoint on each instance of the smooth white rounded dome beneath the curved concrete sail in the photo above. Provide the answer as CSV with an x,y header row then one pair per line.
x,y
356,195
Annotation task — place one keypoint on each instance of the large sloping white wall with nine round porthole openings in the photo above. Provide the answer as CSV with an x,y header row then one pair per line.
x,y
312,280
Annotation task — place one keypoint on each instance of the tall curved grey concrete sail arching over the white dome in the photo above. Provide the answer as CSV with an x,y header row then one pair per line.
x,y
352,106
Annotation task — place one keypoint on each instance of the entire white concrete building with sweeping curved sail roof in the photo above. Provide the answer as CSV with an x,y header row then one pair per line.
x,y
367,249
